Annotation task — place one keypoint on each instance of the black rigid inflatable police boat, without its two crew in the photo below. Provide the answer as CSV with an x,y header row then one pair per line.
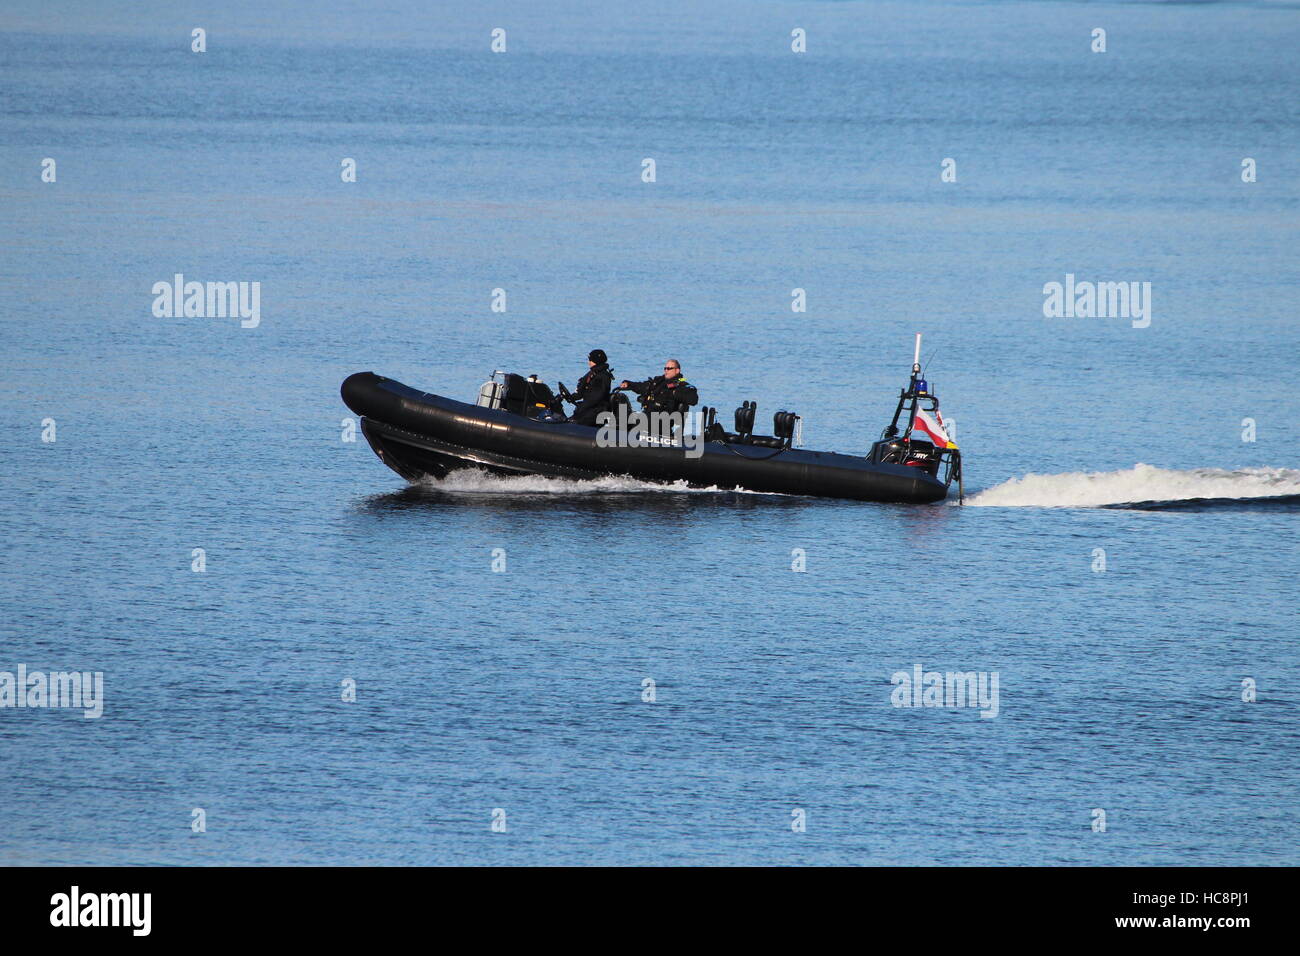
x,y
518,429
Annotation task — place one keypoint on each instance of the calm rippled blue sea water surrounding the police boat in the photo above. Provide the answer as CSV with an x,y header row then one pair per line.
x,y
305,660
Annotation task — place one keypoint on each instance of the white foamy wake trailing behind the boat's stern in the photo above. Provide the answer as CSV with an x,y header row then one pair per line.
x,y
1143,483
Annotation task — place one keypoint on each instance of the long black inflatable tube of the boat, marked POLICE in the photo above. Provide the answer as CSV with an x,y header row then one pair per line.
x,y
418,434
